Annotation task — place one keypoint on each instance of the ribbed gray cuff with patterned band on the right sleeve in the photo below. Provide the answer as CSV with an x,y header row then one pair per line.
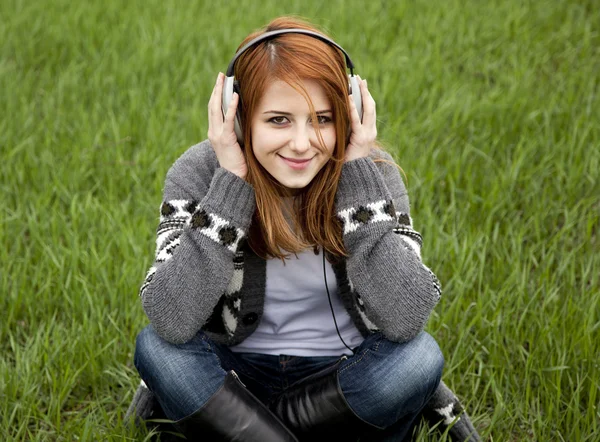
x,y
363,197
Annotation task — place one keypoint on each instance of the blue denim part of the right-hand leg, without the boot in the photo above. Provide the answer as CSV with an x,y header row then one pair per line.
x,y
387,384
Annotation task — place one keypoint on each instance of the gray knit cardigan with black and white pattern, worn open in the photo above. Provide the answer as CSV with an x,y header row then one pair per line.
x,y
206,277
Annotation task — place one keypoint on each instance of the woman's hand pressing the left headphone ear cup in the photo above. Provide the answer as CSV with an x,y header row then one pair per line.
x,y
221,133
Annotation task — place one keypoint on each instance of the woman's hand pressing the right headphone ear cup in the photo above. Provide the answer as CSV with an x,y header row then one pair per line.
x,y
363,134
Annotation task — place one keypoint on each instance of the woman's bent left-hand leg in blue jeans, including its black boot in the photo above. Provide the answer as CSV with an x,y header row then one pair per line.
x,y
203,398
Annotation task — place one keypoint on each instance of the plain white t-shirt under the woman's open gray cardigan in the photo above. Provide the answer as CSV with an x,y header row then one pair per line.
x,y
297,318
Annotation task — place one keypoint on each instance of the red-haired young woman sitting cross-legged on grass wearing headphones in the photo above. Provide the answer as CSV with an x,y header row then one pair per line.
x,y
288,296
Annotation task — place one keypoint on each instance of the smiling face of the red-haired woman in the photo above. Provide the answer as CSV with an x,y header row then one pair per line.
x,y
284,140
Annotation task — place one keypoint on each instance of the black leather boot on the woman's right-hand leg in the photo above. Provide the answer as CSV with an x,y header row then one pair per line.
x,y
315,407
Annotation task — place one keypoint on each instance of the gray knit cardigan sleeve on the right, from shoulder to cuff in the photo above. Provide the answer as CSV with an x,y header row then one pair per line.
x,y
397,291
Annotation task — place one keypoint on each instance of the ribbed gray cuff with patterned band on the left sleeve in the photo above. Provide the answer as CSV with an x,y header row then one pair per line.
x,y
225,213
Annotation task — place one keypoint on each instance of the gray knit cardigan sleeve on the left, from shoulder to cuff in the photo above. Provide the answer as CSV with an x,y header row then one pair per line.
x,y
205,214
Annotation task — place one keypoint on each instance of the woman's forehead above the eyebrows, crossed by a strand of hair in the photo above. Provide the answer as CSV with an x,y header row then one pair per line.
x,y
279,95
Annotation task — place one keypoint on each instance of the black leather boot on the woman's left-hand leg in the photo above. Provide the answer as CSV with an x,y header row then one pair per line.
x,y
233,413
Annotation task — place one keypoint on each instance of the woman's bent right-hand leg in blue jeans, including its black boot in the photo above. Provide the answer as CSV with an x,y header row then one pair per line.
x,y
378,392
